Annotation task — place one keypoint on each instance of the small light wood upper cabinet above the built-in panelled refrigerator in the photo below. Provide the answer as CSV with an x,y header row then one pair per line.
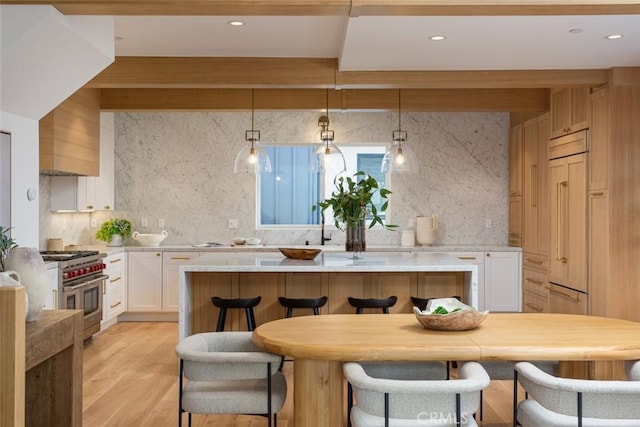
x,y
570,110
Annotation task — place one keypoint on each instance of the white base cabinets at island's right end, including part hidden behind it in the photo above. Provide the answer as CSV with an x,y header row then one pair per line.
x,y
499,278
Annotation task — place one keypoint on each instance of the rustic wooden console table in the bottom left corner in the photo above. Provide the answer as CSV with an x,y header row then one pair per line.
x,y
49,351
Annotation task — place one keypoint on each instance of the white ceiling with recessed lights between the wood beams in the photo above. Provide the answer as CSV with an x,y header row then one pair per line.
x,y
394,42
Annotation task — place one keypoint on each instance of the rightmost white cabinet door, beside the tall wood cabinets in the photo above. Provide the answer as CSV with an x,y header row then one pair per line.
x,y
502,281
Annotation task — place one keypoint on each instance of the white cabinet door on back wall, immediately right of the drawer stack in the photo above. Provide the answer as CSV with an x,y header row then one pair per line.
x,y
144,281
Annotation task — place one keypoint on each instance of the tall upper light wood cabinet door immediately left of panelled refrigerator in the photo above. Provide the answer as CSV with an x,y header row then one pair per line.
x,y
535,200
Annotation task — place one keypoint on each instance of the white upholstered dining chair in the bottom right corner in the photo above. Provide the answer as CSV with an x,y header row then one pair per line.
x,y
561,402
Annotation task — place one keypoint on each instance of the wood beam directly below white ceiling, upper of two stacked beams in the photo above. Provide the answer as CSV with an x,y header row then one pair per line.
x,y
210,72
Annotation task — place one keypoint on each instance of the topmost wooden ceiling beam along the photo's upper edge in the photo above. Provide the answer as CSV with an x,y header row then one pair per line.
x,y
339,7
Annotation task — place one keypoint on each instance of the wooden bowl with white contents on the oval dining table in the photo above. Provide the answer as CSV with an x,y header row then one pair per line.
x,y
458,317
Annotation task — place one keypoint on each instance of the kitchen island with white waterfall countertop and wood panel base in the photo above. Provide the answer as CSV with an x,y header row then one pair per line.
x,y
335,274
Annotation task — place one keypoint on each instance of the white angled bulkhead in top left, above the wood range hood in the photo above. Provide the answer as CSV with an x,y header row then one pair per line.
x,y
46,56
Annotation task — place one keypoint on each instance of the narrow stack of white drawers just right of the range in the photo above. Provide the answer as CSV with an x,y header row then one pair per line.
x,y
114,292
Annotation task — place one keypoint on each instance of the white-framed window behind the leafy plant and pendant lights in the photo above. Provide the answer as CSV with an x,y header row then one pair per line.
x,y
286,195
